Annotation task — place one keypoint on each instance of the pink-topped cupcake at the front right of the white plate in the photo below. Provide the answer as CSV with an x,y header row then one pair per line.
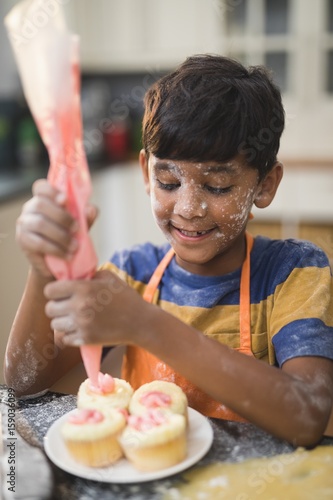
x,y
155,440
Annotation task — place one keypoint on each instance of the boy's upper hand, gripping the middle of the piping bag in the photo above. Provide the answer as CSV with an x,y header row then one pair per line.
x,y
45,227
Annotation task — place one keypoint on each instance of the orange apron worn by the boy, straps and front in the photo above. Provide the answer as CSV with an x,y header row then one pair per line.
x,y
139,365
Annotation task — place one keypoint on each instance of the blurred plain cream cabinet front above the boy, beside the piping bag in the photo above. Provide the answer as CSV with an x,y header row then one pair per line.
x,y
142,35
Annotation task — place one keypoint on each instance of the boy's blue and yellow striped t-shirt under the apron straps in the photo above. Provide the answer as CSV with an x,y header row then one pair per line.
x,y
291,292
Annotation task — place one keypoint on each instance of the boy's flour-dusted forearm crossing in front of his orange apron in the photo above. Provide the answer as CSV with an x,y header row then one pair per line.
x,y
265,395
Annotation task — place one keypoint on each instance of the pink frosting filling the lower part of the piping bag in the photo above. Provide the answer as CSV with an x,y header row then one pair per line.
x,y
72,176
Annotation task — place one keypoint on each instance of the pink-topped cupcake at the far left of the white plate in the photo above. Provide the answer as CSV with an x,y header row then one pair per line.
x,y
91,436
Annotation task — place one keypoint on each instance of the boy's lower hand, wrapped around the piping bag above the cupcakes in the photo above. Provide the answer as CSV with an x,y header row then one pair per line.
x,y
103,310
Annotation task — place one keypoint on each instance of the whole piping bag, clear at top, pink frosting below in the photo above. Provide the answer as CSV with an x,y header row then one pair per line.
x,y
47,56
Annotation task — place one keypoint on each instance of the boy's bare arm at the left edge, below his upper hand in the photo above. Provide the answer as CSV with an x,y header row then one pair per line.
x,y
35,358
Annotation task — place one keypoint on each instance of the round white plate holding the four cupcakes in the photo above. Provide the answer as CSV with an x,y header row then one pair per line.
x,y
200,438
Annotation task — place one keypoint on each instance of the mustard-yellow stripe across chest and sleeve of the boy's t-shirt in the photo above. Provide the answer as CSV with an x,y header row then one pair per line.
x,y
314,293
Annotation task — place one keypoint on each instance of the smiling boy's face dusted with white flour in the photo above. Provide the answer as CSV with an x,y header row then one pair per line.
x,y
202,209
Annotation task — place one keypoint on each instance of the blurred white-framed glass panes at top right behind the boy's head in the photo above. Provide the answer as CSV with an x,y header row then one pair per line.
x,y
293,38
